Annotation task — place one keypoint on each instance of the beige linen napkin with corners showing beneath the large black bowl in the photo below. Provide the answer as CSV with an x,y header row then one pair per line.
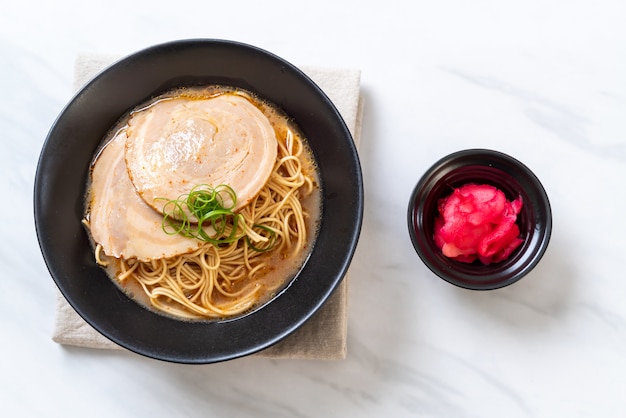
x,y
324,335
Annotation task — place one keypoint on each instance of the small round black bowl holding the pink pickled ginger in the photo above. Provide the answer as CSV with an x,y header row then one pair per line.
x,y
480,166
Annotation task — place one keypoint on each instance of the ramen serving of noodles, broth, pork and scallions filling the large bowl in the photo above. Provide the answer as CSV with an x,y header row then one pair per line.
x,y
203,203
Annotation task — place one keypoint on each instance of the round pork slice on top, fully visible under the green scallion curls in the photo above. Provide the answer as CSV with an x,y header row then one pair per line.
x,y
177,144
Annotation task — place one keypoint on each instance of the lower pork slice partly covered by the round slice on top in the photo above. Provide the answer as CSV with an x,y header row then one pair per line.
x,y
121,221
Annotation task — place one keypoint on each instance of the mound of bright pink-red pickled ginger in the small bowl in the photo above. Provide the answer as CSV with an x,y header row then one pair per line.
x,y
478,222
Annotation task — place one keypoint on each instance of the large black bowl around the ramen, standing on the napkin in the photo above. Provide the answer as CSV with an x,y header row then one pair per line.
x,y
64,164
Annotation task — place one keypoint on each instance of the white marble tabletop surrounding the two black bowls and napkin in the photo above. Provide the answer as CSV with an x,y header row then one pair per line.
x,y
541,80
